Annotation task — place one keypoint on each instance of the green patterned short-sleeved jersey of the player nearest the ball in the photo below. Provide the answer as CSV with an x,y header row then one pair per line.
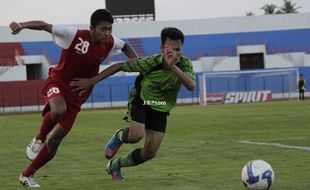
x,y
158,87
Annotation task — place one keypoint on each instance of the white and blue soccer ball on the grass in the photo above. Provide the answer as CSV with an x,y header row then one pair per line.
x,y
257,175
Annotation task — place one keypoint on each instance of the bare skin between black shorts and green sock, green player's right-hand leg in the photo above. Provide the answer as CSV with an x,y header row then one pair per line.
x,y
153,140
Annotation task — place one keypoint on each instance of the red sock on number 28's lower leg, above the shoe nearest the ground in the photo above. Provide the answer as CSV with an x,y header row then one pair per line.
x,y
43,157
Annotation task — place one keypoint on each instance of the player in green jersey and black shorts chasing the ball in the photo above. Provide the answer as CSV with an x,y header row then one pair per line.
x,y
151,99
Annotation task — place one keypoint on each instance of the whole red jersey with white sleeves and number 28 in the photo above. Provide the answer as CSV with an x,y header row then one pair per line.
x,y
80,57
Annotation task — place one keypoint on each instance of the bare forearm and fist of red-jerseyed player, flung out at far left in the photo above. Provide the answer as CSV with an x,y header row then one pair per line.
x,y
16,27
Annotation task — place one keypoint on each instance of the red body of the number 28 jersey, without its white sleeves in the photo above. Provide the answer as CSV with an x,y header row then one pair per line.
x,y
82,59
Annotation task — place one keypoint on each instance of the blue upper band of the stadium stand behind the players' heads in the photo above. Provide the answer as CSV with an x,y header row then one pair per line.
x,y
197,46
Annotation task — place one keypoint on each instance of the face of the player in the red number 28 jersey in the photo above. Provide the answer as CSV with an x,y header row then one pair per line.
x,y
101,32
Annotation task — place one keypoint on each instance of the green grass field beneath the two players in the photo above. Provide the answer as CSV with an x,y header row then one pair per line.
x,y
201,149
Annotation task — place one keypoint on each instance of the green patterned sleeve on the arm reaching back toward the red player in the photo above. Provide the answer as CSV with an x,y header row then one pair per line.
x,y
141,64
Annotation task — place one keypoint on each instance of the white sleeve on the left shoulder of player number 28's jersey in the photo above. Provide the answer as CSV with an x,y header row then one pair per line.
x,y
63,35
